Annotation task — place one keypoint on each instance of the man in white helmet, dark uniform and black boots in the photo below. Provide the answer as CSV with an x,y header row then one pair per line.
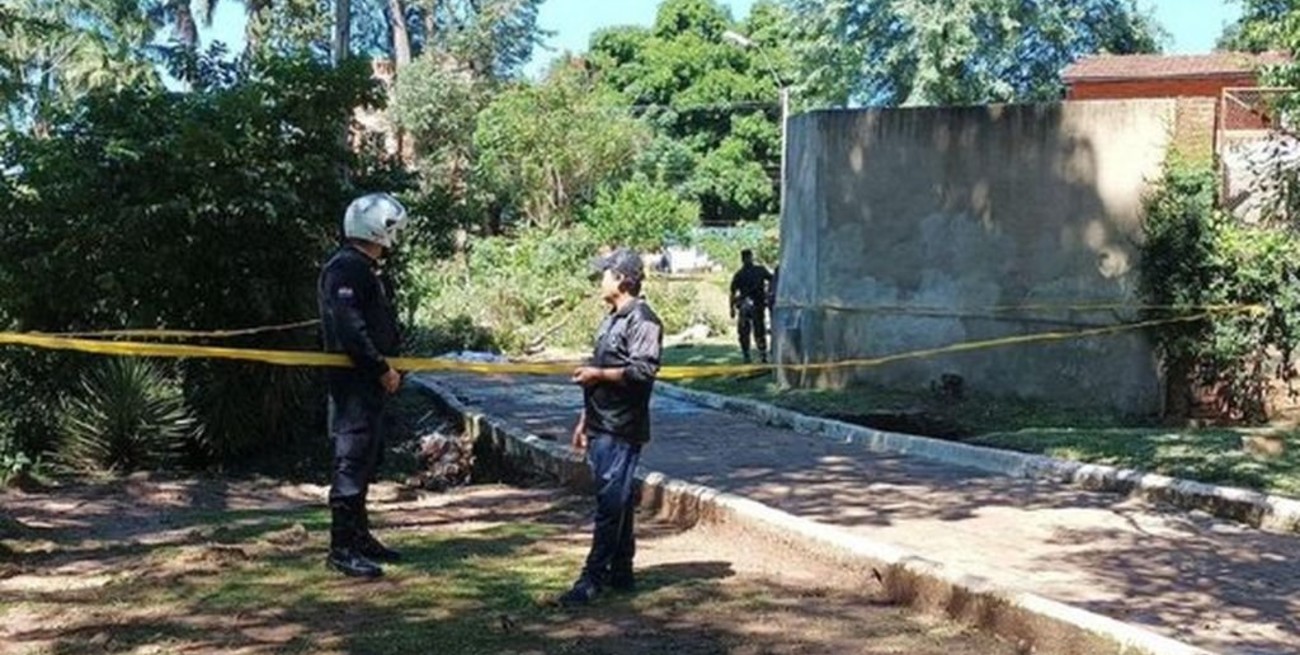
x,y
358,319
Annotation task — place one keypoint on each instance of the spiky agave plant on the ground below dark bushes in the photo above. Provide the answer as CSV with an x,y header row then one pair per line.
x,y
127,415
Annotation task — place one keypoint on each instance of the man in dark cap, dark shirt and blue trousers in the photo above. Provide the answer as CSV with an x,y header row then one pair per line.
x,y
616,423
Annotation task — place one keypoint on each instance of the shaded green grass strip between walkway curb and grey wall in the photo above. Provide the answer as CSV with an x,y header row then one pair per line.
x,y
1207,456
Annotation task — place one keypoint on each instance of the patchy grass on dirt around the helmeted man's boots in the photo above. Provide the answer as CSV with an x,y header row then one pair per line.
x,y
450,591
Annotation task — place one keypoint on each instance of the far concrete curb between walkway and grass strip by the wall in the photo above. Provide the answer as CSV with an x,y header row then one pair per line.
x,y
1267,513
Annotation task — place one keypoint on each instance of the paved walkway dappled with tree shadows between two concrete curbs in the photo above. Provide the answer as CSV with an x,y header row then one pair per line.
x,y
1215,584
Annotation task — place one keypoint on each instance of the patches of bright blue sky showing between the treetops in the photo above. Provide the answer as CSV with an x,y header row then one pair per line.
x,y
1194,25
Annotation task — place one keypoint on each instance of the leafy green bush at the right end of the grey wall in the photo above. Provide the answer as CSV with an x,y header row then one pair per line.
x,y
1195,255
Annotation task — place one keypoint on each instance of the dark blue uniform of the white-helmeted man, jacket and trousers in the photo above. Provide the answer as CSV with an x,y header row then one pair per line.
x,y
358,319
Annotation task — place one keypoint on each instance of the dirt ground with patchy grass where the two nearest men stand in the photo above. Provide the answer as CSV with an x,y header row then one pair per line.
x,y
222,567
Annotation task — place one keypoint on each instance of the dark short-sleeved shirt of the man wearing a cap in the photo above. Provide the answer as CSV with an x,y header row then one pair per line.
x,y
632,340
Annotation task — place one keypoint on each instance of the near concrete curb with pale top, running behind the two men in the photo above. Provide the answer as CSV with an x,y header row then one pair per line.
x,y
1034,623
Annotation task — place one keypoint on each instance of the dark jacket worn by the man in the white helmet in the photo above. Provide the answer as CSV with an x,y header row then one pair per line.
x,y
358,319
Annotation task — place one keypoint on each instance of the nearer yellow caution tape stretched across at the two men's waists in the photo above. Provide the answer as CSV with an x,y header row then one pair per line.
x,y
551,368
